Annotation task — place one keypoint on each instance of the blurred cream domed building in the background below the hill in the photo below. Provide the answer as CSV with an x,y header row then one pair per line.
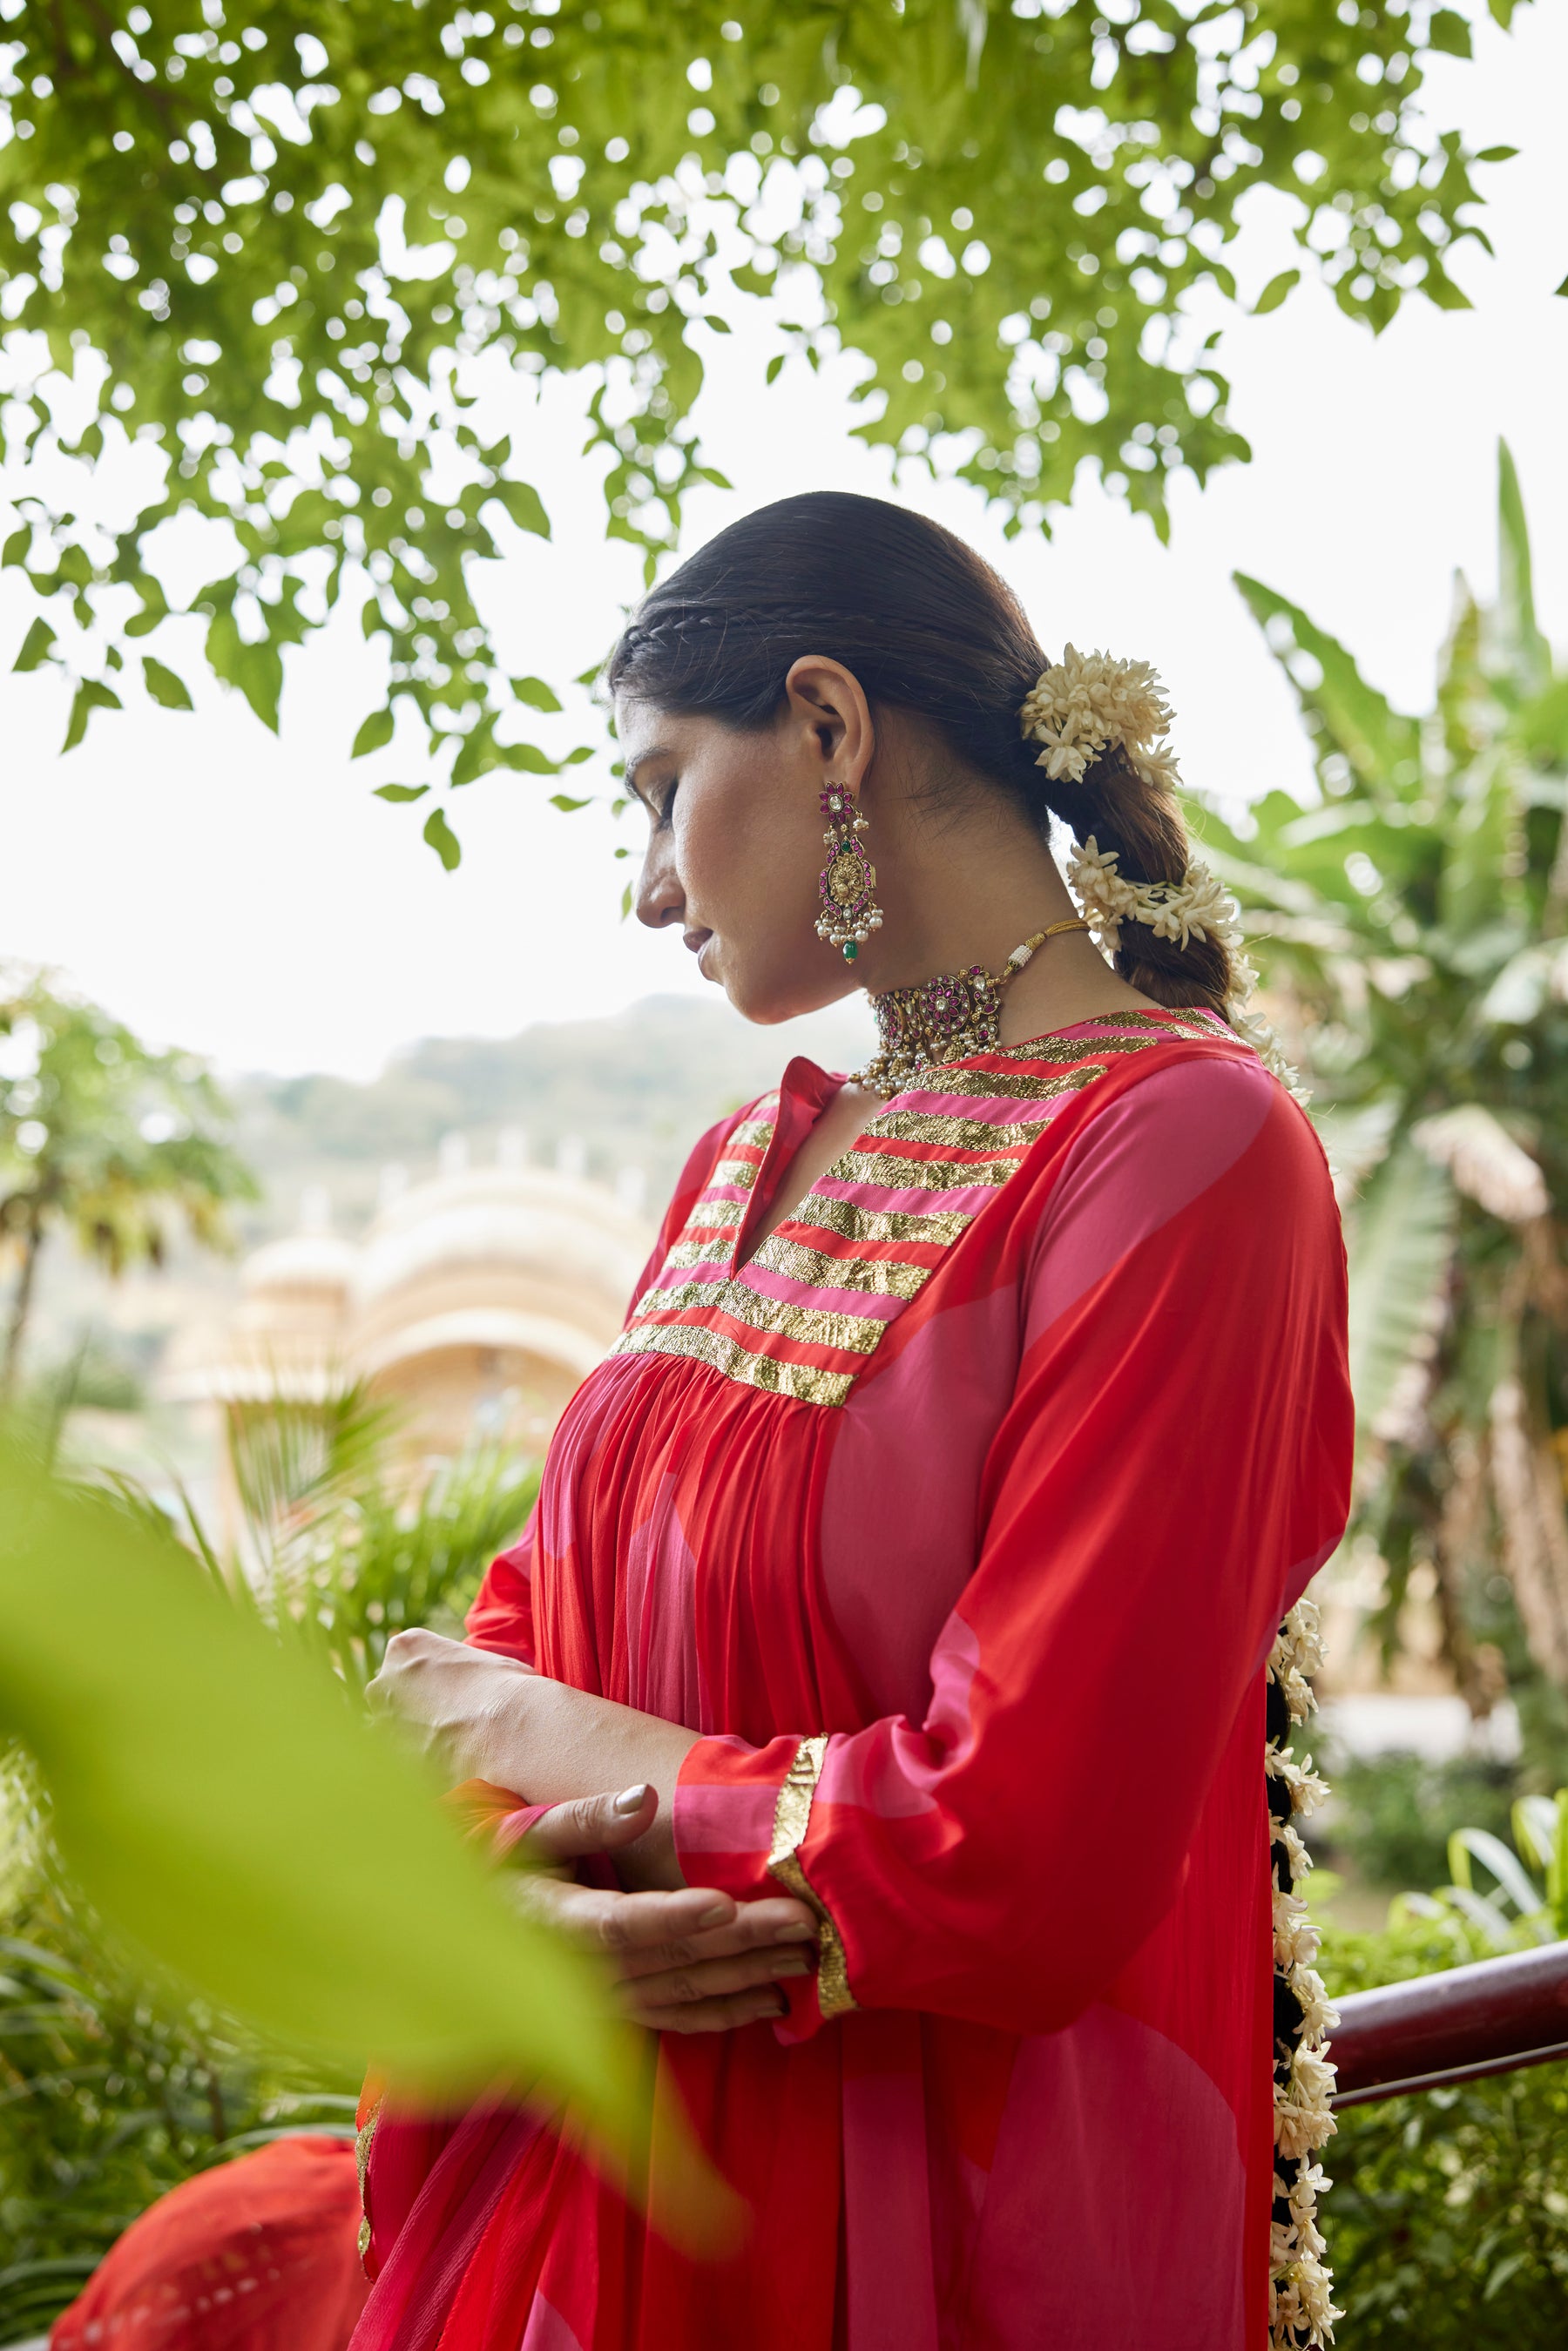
x,y
474,1304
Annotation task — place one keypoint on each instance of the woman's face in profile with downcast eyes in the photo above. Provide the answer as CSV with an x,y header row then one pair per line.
x,y
737,838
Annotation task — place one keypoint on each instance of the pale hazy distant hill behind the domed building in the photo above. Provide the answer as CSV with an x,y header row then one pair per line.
x,y
631,1092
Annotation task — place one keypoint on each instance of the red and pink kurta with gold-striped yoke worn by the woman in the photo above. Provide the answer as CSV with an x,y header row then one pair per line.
x,y
958,1520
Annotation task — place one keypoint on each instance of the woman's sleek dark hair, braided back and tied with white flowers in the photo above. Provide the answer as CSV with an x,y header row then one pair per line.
x,y
927,627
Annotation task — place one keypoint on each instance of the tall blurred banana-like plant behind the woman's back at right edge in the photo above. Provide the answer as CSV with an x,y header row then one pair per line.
x,y
1414,939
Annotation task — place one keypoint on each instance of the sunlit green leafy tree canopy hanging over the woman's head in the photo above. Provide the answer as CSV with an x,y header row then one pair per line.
x,y
281,246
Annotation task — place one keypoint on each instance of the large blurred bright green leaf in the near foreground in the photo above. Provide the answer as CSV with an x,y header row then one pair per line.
x,y
246,1828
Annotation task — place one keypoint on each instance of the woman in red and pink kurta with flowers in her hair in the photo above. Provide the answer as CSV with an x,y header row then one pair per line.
x,y
913,1562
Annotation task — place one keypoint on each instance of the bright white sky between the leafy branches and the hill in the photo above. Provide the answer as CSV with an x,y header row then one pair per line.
x,y
246,897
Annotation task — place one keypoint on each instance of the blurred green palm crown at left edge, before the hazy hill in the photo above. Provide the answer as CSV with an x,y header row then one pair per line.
x,y
105,1139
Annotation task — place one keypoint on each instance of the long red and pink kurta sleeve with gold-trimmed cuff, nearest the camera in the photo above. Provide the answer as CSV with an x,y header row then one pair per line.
x,y
1167,1478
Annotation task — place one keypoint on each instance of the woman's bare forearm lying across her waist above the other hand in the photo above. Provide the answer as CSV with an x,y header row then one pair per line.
x,y
554,1746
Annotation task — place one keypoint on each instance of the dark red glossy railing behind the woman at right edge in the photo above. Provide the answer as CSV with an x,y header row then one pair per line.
x,y
1489,2018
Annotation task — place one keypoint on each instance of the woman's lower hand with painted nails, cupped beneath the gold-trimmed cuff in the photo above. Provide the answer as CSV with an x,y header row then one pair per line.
x,y
688,1962
